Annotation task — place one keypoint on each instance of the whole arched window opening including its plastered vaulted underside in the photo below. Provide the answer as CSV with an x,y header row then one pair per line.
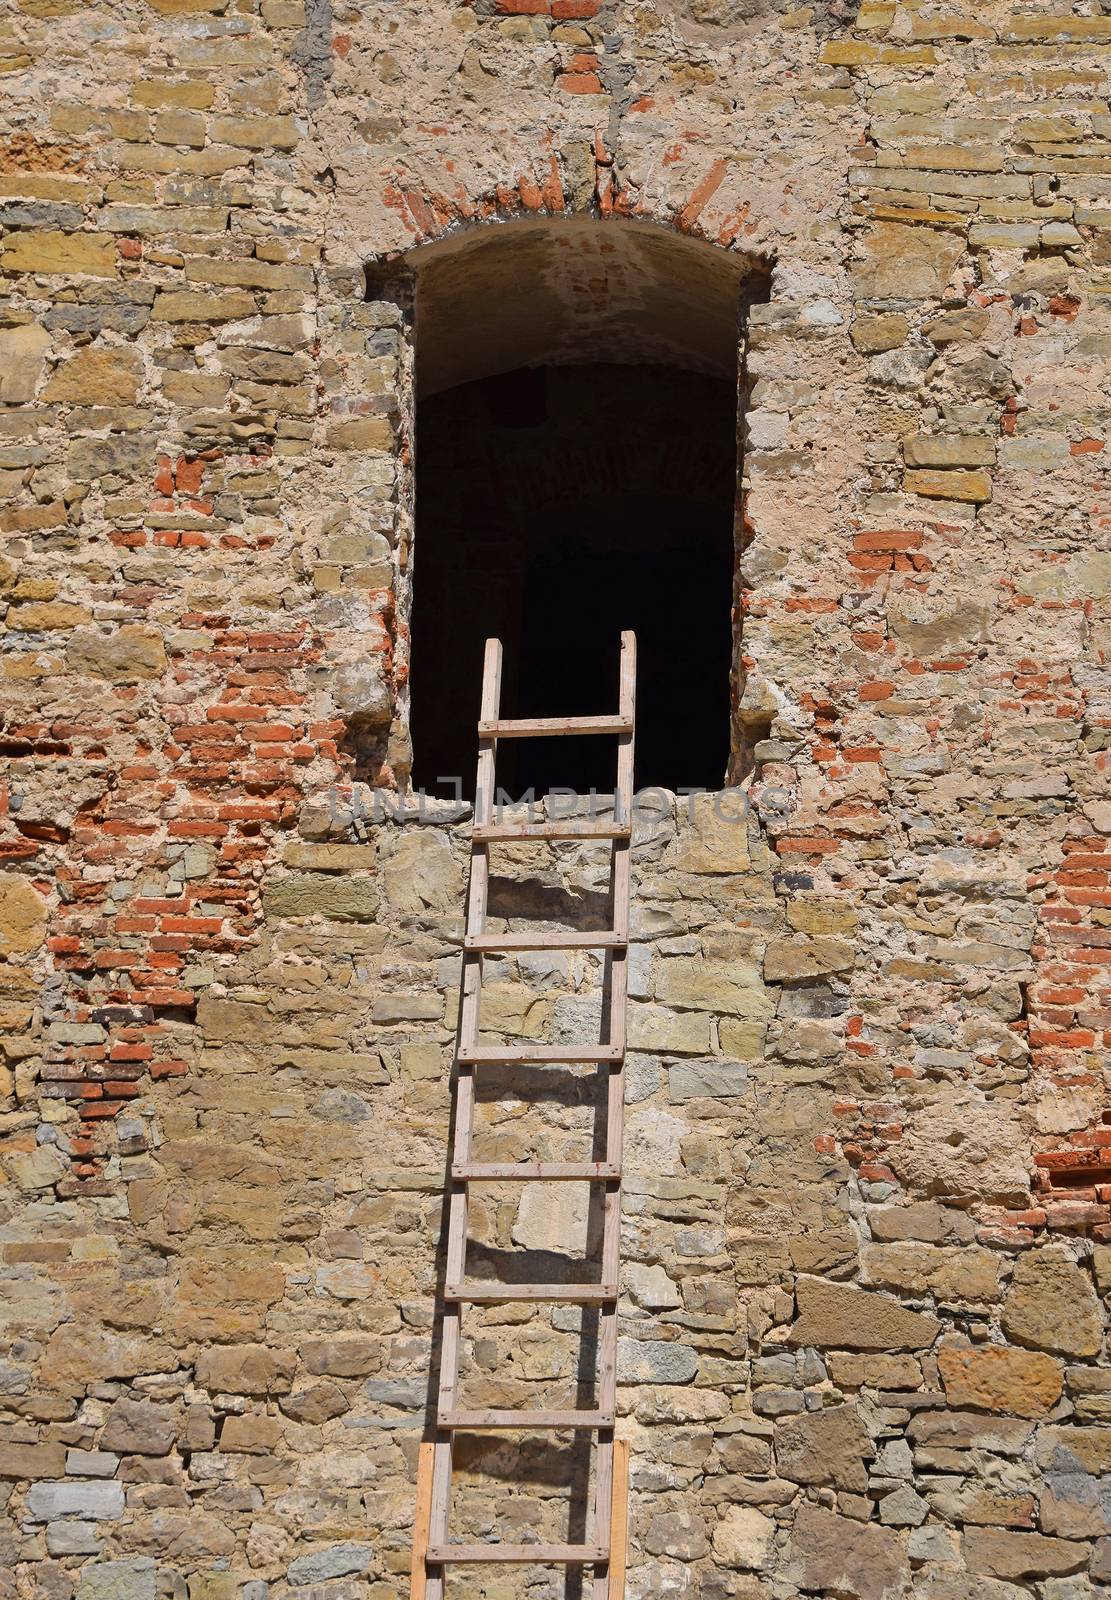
x,y
577,474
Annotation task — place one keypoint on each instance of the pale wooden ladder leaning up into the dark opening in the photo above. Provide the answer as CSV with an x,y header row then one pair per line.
x,y
433,1554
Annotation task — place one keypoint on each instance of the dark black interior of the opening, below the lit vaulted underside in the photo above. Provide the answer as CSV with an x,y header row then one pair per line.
x,y
555,508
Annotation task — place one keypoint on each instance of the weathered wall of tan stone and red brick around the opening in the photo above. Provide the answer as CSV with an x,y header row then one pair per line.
x,y
868,1223
